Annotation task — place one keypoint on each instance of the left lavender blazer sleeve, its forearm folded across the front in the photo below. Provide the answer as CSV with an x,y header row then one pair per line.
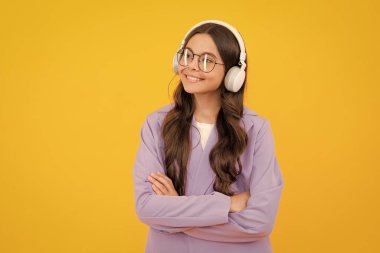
x,y
170,213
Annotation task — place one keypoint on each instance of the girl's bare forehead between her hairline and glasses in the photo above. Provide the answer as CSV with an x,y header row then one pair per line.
x,y
201,43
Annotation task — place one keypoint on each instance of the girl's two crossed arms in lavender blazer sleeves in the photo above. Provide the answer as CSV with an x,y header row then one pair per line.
x,y
208,216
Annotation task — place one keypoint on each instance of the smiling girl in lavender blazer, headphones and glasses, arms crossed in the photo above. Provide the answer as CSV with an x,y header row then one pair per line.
x,y
206,176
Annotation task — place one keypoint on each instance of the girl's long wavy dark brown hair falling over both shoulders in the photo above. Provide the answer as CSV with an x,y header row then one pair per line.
x,y
232,138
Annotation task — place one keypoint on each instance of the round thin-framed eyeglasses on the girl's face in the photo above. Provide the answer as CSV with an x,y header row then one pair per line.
x,y
206,61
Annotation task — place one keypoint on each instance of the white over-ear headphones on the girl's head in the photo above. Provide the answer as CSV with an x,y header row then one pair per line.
x,y
235,76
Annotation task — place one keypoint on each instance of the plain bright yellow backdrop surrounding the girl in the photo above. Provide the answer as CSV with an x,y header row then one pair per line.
x,y
77,79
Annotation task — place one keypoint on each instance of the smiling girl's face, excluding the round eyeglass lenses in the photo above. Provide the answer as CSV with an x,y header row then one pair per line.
x,y
205,82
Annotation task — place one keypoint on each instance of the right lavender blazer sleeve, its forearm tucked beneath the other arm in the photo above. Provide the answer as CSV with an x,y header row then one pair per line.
x,y
257,219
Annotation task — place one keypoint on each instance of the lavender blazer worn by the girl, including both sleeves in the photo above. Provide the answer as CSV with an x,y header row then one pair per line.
x,y
200,222
